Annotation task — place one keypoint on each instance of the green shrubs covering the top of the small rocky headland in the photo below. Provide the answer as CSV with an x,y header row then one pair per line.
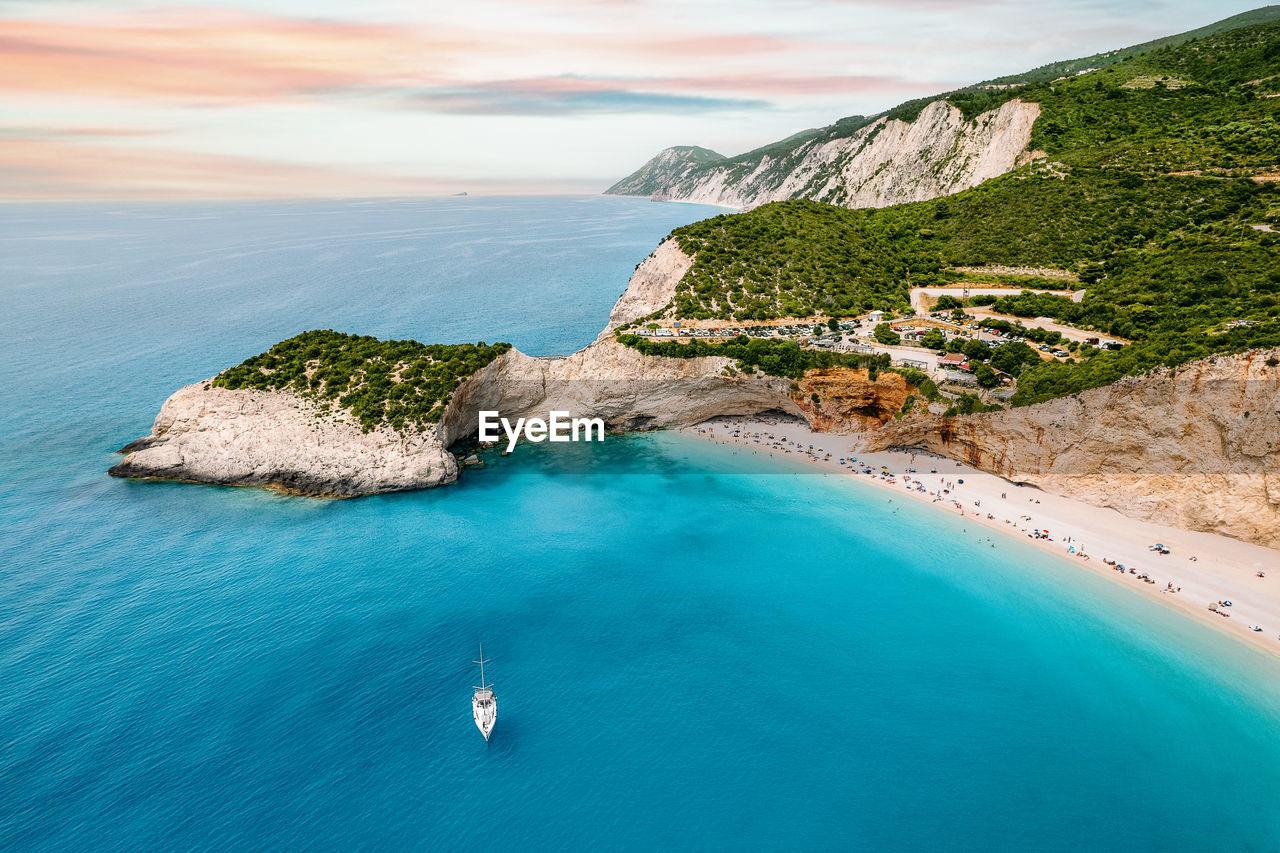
x,y
399,384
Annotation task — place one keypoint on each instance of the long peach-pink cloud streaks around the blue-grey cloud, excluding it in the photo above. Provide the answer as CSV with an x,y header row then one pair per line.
x,y
218,57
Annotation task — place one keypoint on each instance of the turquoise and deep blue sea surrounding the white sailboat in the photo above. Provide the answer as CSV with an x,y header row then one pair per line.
x,y
693,647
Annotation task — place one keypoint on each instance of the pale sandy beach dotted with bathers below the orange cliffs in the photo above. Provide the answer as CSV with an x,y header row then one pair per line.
x,y
1199,571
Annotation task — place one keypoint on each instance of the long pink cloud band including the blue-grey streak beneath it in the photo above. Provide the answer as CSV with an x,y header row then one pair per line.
x,y
209,57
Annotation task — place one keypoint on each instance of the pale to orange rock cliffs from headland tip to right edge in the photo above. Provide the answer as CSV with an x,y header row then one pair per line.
x,y
1197,446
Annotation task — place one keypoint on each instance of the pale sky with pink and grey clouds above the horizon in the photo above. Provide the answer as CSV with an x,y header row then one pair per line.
x,y
405,98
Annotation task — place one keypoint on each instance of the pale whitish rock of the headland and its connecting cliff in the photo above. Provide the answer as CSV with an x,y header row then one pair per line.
x,y
284,441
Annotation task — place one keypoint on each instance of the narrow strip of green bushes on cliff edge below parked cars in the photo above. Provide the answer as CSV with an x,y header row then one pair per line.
x,y
772,357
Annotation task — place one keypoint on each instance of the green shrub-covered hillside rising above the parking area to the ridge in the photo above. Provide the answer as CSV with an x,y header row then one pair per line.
x,y
1159,190
